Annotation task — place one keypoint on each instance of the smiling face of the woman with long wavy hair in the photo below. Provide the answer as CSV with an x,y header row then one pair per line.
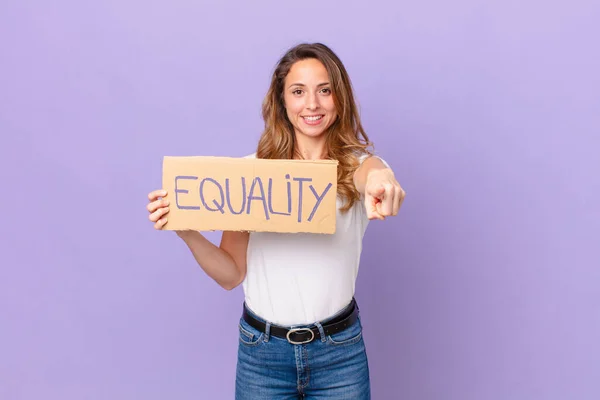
x,y
308,98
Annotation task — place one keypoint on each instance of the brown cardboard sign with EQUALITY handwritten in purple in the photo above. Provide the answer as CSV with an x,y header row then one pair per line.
x,y
246,194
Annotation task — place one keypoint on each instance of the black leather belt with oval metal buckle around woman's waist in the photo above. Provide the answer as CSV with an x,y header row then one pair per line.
x,y
305,335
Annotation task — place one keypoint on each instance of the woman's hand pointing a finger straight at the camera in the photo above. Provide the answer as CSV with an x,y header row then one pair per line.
x,y
383,194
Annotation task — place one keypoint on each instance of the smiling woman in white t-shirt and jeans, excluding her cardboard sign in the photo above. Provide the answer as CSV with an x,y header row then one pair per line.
x,y
300,332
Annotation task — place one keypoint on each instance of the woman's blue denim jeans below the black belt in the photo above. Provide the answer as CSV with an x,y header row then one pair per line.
x,y
330,367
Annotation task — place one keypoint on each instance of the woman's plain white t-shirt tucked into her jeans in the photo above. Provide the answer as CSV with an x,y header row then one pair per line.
x,y
301,278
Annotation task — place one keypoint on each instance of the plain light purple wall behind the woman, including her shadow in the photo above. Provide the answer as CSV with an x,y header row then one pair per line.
x,y
486,286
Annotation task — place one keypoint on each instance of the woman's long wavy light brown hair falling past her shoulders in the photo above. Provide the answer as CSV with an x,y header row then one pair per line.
x,y
345,137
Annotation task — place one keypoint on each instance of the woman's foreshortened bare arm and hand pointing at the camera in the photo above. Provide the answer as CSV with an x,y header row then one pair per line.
x,y
383,194
